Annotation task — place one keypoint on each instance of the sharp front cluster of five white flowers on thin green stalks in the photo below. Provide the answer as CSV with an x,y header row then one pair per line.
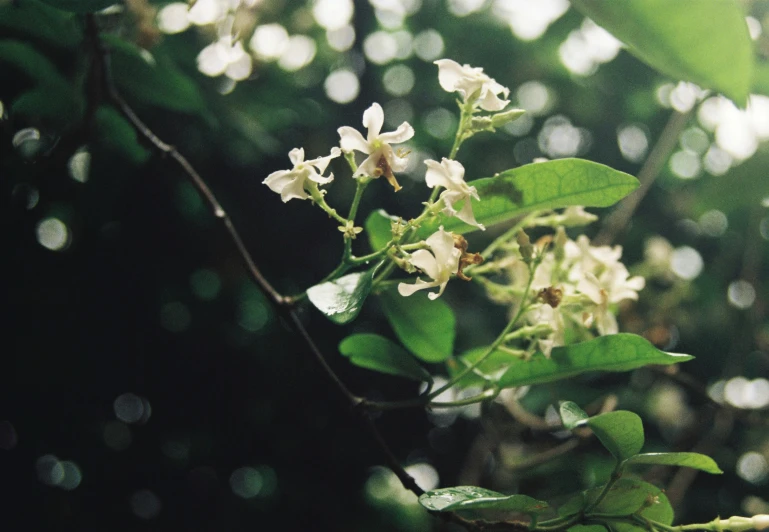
x,y
443,254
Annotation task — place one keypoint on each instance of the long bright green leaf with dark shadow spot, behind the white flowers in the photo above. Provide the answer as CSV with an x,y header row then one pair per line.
x,y
546,185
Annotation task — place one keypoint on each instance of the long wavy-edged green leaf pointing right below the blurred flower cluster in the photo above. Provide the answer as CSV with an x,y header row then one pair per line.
x,y
616,352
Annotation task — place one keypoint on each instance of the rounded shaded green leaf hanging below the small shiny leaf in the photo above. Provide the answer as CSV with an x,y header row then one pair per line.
x,y
425,327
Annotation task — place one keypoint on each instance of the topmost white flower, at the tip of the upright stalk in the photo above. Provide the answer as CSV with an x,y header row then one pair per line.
x,y
471,83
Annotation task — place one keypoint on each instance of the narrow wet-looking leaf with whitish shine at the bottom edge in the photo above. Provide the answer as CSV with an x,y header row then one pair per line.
x,y
473,498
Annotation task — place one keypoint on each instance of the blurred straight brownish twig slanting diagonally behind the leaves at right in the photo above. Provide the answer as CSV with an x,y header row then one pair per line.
x,y
616,222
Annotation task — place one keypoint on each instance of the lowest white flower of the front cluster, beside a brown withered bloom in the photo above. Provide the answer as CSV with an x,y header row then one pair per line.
x,y
440,263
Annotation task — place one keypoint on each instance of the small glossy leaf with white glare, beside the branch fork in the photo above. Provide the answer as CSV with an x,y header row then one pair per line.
x,y
341,300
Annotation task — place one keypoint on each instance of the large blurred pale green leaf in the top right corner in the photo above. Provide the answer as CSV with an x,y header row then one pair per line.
x,y
707,42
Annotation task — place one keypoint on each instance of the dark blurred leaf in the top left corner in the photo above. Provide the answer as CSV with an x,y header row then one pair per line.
x,y
37,21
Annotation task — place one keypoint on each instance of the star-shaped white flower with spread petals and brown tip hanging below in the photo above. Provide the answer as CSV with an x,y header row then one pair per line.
x,y
381,160
